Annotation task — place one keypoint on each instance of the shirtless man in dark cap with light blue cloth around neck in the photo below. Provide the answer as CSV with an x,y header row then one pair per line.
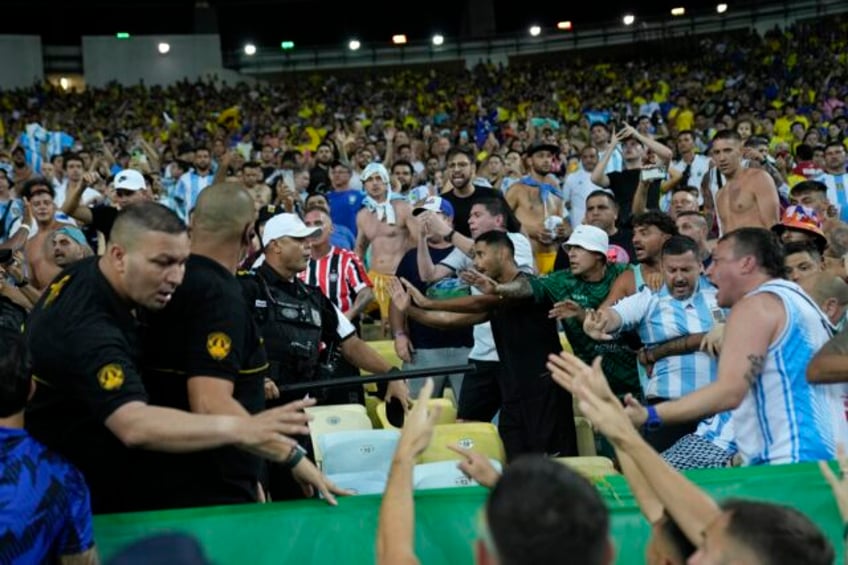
x,y
535,198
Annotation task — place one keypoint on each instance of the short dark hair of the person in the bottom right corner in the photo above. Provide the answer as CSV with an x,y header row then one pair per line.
x,y
777,534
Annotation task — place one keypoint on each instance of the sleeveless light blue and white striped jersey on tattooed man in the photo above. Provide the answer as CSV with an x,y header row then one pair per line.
x,y
784,419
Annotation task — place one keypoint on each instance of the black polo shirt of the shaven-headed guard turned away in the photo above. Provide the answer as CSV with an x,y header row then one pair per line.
x,y
206,330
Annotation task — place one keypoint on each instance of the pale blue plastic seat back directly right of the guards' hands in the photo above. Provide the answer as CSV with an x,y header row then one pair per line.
x,y
358,451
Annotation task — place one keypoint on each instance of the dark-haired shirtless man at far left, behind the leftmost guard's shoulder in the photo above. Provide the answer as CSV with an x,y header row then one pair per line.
x,y
40,264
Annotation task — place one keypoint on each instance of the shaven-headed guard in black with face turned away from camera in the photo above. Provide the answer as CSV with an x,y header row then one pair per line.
x,y
203,353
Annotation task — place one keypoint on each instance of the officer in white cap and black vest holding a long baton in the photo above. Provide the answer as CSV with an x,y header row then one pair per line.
x,y
304,332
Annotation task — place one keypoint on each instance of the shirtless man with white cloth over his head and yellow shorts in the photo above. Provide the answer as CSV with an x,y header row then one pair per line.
x,y
387,225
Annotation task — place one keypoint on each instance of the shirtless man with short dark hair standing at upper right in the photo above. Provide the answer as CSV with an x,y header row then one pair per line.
x,y
748,197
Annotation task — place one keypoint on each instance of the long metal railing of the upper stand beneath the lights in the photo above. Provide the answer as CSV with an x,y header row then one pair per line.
x,y
274,61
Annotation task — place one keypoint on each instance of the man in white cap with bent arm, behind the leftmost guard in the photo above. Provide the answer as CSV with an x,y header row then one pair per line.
x,y
129,186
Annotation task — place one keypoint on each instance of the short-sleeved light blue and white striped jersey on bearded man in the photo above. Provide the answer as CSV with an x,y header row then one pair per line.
x,y
659,317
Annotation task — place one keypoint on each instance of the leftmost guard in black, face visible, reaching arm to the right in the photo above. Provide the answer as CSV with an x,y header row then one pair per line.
x,y
90,405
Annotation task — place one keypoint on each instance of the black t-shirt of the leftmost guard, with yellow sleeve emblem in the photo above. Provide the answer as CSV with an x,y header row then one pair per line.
x,y
84,346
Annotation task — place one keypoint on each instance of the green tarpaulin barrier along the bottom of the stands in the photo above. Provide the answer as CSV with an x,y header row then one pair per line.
x,y
309,531
